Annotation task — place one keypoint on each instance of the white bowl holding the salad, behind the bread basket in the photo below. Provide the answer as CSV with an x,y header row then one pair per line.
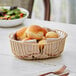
x,y
14,22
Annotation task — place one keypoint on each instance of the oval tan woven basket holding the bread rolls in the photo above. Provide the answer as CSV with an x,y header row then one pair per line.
x,y
30,50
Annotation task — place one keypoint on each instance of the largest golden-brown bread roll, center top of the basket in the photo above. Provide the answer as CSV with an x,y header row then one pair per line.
x,y
35,32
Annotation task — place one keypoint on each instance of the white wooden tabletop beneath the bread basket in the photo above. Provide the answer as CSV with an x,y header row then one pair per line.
x,y
11,66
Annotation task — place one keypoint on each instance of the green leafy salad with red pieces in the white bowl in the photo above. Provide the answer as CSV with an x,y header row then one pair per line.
x,y
11,13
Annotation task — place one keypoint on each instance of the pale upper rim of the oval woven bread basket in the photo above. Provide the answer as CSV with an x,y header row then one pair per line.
x,y
54,39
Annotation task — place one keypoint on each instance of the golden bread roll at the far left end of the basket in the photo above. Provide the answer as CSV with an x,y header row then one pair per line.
x,y
20,34
